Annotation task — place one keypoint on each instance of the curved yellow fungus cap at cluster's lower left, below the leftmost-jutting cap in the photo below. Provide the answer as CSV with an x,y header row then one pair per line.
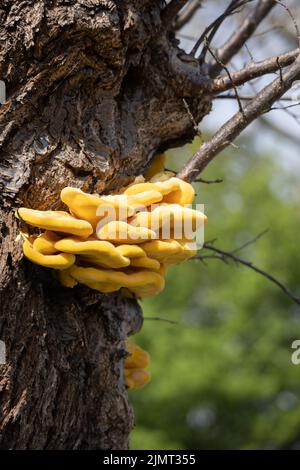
x,y
58,261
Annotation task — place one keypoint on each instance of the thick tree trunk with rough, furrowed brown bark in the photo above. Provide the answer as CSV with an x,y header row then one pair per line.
x,y
91,97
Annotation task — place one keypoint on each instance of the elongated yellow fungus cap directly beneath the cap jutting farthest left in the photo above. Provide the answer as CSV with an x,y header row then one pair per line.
x,y
94,250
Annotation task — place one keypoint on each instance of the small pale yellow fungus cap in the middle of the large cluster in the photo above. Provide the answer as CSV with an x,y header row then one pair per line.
x,y
121,232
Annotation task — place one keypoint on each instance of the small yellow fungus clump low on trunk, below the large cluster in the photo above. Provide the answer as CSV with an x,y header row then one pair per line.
x,y
136,375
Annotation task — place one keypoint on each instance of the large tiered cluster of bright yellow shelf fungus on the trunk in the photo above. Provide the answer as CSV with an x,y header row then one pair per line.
x,y
125,240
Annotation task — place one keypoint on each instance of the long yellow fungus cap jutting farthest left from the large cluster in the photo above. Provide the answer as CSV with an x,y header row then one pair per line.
x,y
58,221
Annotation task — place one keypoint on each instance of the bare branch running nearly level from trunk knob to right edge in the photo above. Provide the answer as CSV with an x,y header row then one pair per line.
x,y
254,70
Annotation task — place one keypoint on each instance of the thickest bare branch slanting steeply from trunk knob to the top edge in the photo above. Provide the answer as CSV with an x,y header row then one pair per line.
x,y
239,38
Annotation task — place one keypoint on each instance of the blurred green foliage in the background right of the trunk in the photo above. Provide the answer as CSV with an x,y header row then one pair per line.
x,y
222,377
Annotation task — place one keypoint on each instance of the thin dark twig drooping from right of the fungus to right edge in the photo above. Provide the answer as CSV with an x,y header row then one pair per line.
x,y
226,256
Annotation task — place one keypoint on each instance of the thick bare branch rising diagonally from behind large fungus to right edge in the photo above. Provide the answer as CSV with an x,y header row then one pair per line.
x,y
232,128
